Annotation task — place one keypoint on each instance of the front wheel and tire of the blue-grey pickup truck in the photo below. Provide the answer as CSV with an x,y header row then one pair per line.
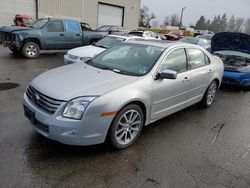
x,y
30,50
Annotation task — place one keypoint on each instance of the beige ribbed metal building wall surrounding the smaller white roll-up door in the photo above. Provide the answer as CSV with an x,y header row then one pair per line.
x,y
87,10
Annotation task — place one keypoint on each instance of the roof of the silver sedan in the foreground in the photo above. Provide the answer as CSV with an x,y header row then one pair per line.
x,y
161,43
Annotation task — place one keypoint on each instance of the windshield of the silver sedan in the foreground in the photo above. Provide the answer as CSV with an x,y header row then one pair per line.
x,y
129,59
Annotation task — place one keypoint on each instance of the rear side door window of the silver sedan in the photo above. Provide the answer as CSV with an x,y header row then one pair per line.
x,y
197,58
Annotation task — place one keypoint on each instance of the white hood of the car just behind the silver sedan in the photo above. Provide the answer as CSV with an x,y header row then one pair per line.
x,y
86,51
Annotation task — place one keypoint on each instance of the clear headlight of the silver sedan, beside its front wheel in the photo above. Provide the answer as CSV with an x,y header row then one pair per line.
x,y
76,107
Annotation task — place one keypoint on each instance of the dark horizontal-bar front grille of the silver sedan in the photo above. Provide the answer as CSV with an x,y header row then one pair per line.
x,y
48,104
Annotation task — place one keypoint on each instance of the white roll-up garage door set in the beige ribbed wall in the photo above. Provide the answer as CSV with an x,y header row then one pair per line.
x,y
110,15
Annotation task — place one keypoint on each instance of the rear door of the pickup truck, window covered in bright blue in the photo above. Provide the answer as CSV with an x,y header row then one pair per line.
x,y
73,33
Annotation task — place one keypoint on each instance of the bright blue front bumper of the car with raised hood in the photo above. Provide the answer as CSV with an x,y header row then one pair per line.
x,y
236,79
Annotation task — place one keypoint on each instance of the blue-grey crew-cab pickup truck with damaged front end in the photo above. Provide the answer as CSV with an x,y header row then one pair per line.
x,y
47,34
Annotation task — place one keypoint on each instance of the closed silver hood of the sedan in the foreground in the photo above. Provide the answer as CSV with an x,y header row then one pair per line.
x,y
71,81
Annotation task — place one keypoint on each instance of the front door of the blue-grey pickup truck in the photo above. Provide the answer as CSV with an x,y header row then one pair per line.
x,y
54,35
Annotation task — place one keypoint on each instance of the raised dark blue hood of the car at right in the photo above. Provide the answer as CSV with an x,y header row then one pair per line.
x,y
231,41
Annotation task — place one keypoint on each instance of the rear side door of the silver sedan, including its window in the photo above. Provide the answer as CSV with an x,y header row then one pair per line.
x,y
200,69
